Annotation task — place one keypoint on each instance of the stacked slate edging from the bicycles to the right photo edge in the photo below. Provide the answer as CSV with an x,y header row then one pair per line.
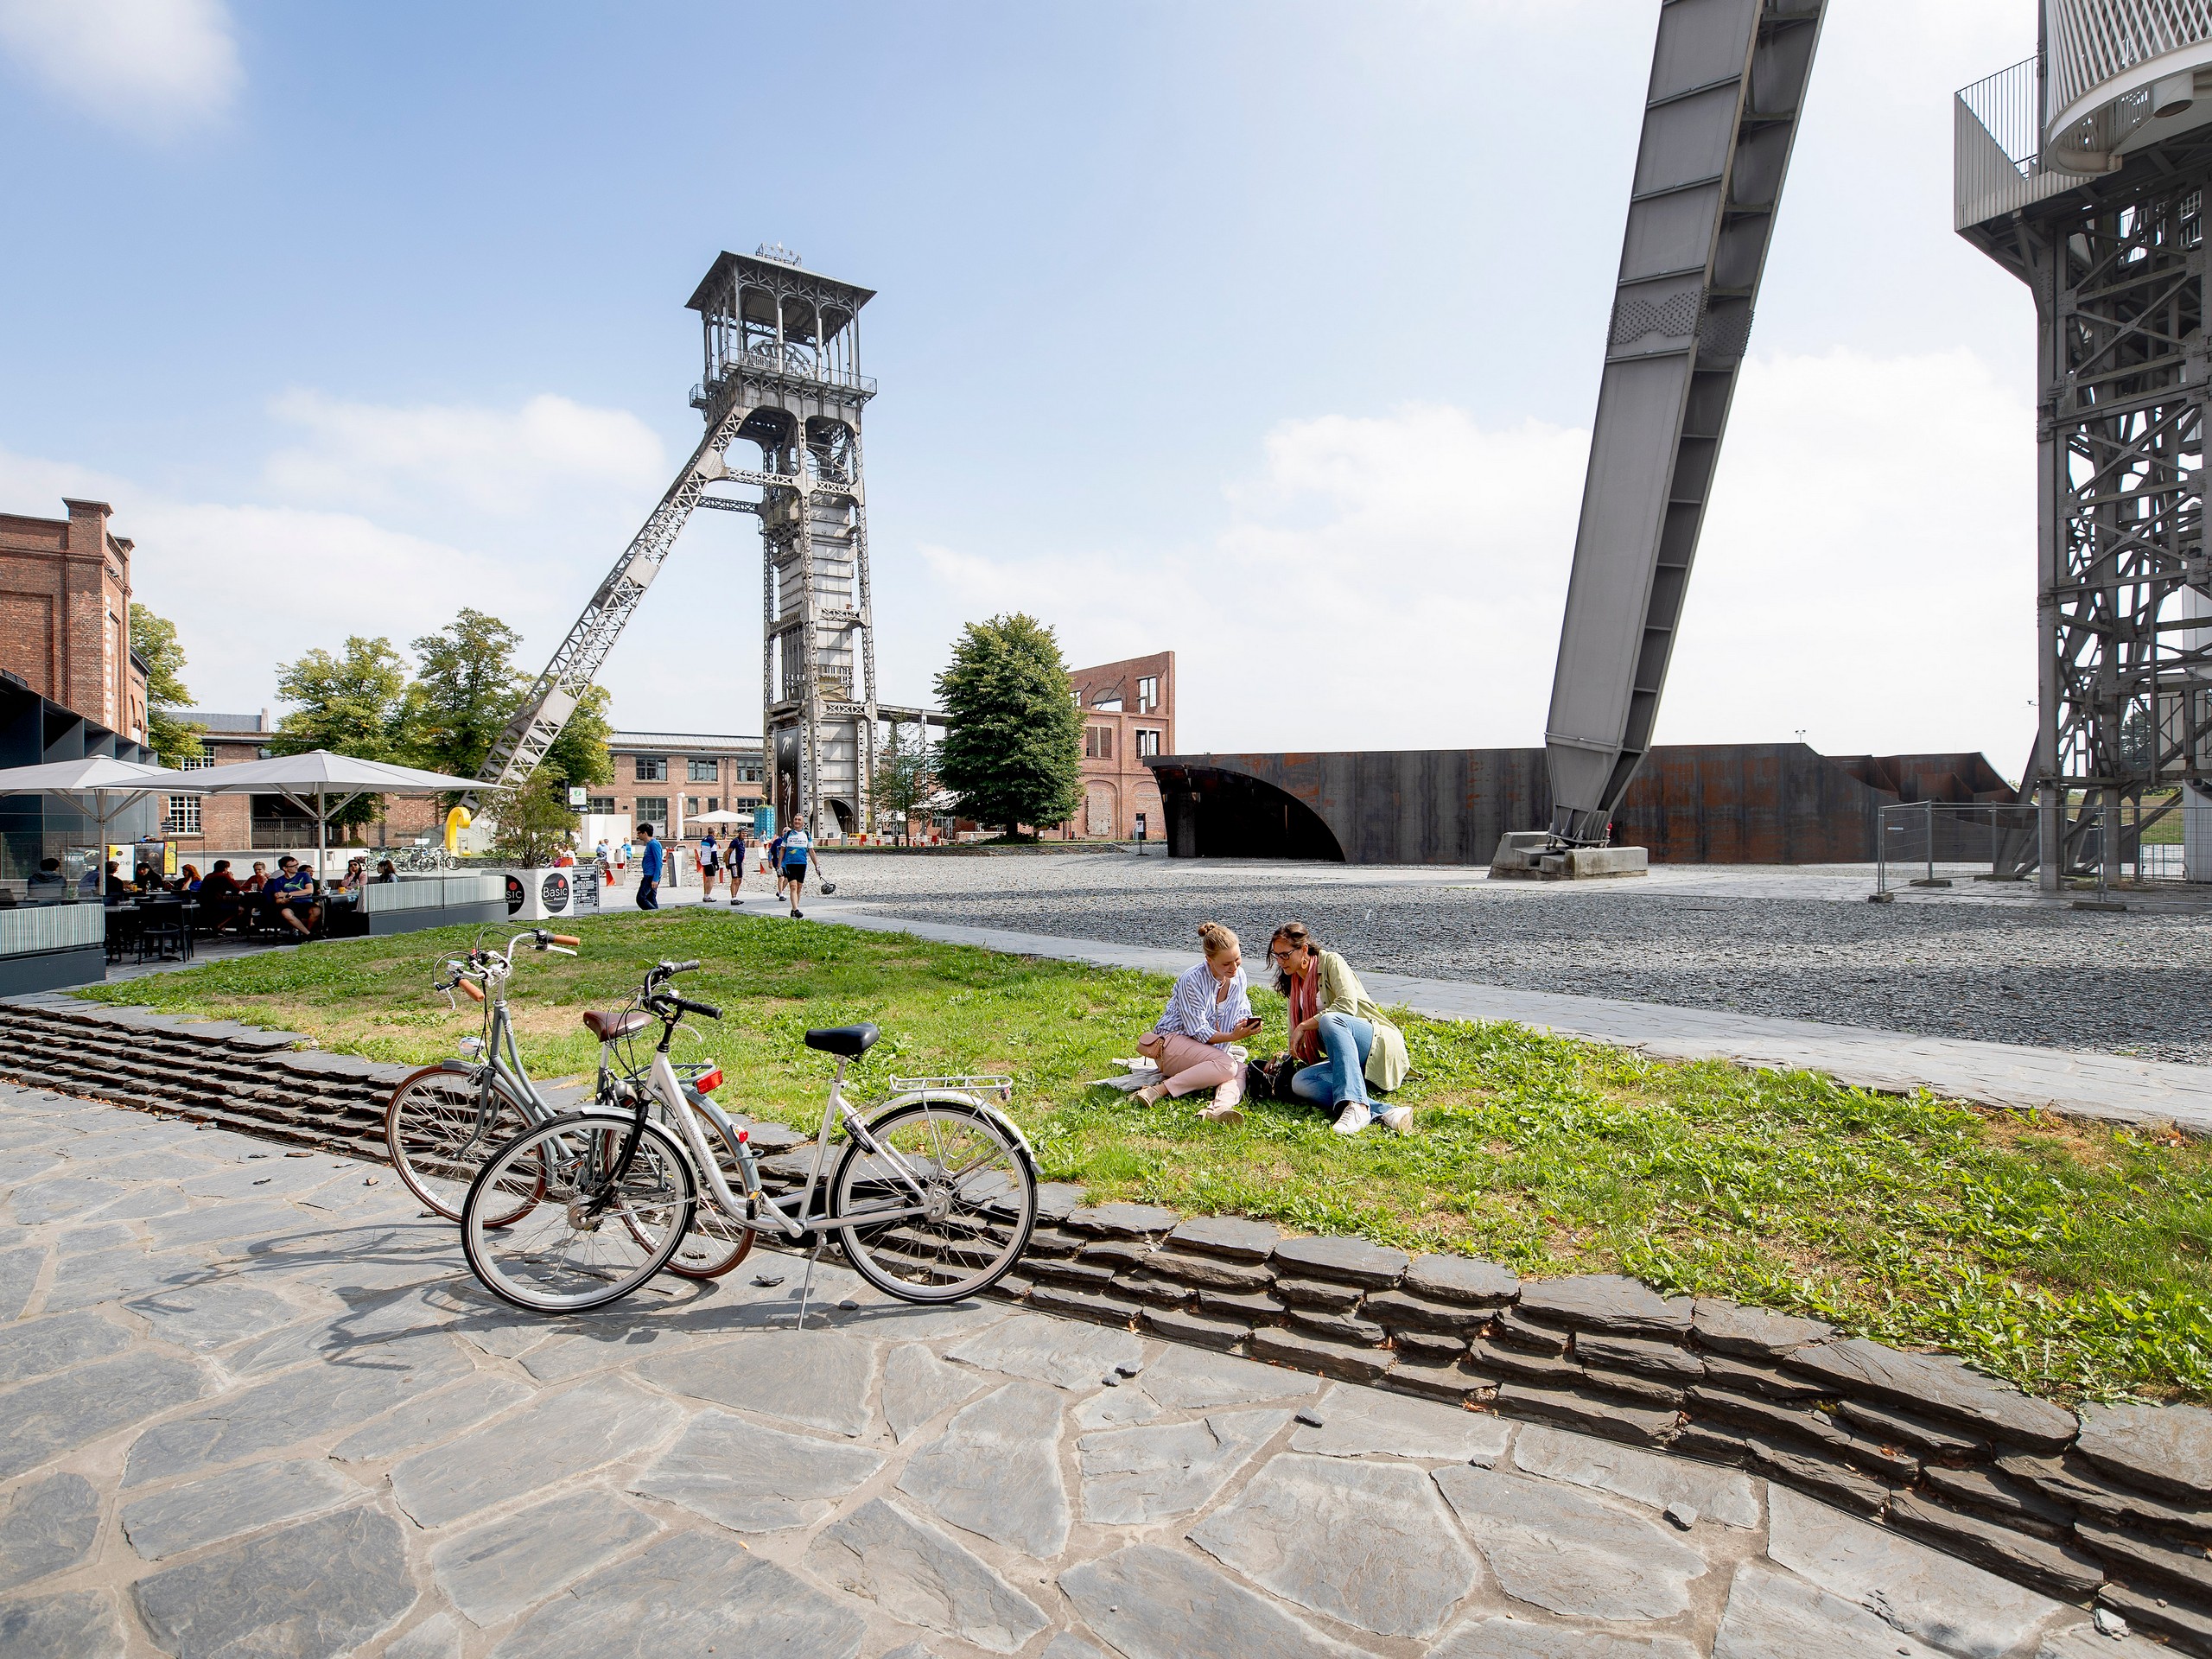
x,y
2109,1507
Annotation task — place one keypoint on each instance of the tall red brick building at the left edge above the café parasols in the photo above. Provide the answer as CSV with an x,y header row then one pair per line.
x,y
65,616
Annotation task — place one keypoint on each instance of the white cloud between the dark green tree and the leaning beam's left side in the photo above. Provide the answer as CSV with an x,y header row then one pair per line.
x,y
1408,570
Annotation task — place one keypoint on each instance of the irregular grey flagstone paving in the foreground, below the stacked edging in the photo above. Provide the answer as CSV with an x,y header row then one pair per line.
x,y
251,1404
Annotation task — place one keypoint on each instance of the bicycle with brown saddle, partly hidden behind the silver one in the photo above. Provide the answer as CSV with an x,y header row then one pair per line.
x,y
448,1118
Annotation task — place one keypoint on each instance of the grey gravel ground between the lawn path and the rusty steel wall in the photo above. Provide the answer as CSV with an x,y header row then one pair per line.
x,y
1959,966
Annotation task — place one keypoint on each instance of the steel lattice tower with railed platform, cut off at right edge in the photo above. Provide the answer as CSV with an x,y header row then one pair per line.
x,y
2085,174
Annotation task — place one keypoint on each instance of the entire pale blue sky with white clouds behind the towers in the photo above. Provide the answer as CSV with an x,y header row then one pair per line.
x,y
1262,333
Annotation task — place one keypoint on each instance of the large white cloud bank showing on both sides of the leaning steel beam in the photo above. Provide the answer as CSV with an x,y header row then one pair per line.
x,y
1864,583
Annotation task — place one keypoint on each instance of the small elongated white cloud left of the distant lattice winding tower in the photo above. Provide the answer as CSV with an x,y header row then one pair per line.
x,y
505,463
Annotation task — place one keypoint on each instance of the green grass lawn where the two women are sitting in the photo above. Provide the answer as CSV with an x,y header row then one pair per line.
x,y
2063,1258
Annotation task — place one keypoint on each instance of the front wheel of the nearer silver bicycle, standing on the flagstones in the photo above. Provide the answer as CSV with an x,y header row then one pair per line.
x,y
585,1240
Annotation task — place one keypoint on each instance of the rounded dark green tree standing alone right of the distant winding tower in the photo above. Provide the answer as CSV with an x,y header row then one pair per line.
x,y
1014,742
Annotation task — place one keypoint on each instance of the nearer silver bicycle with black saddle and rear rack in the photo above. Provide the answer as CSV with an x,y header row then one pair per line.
x,y
932,1200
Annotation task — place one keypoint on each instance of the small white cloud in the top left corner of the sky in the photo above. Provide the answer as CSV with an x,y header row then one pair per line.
x,y
145,65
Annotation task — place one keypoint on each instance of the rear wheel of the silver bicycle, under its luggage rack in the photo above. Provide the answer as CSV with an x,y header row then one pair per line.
x,y
979,1202
